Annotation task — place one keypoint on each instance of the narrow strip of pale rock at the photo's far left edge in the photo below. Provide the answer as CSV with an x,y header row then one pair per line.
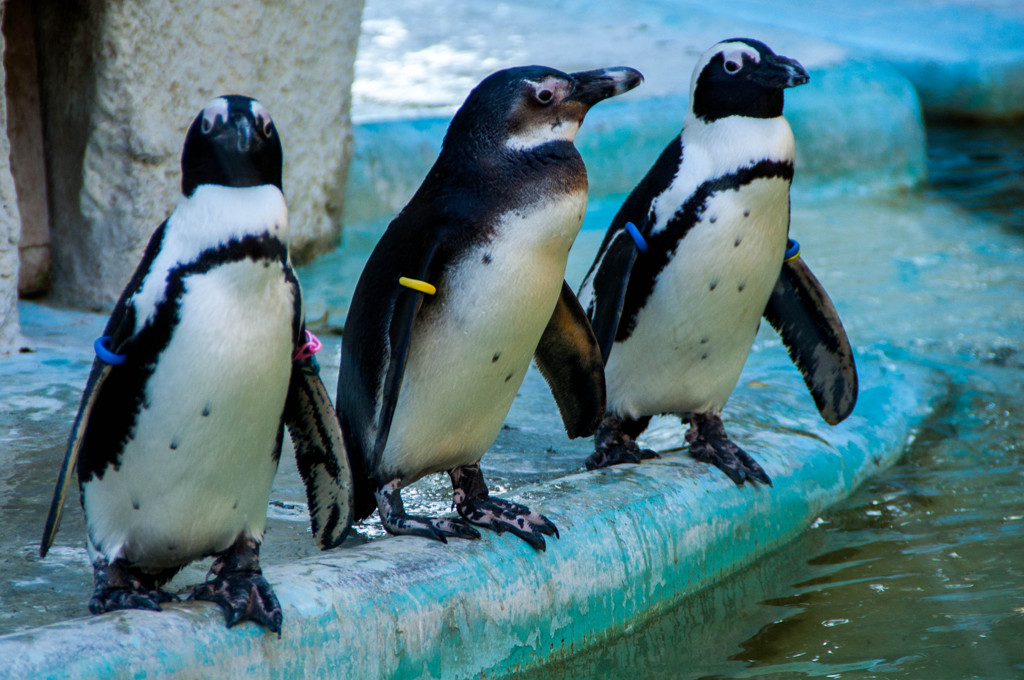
x,y
10,230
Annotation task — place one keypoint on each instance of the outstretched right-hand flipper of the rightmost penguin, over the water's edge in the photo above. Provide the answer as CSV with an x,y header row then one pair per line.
x,y
805,318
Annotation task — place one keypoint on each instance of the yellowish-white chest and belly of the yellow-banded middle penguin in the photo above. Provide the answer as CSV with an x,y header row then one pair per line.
x,y
472,345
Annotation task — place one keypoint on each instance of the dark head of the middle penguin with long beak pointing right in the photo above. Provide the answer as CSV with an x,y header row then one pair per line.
x,y
528,107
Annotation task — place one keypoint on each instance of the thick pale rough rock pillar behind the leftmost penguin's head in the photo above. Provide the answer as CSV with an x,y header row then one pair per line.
x,y
116,116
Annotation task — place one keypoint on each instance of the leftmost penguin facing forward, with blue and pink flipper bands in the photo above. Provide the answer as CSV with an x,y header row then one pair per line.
x,y
204,362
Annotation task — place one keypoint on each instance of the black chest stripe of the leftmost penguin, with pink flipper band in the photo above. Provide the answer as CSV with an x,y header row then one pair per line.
x,y
113,421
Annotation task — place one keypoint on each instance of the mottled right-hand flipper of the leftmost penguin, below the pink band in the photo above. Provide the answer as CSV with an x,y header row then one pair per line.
x,y
320,455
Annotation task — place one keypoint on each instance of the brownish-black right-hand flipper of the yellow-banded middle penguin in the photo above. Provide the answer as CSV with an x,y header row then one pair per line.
x,y
570,360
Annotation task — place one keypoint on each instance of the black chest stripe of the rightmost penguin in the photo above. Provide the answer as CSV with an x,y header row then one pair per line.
x,y
662,246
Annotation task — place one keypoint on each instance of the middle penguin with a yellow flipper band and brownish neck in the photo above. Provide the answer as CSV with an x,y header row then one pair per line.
x,y
429,373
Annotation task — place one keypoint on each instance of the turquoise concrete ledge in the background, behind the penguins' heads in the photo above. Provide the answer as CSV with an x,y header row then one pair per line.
x,y
858,124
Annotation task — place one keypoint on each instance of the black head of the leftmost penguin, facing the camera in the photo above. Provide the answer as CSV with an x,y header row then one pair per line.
x,y
232,143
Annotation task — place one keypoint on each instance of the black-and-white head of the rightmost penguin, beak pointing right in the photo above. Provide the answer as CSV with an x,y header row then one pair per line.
x,y
743,77
